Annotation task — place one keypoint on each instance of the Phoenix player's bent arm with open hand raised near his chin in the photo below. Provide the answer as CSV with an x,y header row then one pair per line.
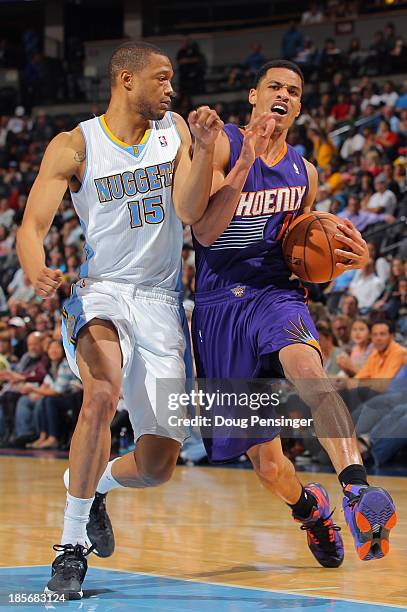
x,y
226,189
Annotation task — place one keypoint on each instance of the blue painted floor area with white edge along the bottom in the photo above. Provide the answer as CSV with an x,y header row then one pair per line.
x,y
108,590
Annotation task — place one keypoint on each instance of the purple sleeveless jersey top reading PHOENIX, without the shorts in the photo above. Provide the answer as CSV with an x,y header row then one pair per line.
x,y
249,250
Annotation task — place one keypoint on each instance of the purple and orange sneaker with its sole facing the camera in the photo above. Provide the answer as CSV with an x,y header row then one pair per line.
x,y
370,514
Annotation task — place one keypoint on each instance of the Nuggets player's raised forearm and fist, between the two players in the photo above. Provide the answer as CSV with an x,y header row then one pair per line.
x,y
193,179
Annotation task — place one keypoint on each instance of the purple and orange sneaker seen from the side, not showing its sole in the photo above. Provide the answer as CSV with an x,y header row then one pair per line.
x,y
323,538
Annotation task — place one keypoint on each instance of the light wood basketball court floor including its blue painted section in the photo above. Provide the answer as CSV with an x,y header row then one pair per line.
x,y
210,540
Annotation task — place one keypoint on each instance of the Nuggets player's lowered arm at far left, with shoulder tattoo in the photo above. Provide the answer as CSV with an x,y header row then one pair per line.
x,y
61,161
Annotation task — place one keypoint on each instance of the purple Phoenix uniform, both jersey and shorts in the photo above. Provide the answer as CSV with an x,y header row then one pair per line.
x,y
246,308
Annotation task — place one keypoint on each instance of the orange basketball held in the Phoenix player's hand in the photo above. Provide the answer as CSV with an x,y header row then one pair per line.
x,y
309,247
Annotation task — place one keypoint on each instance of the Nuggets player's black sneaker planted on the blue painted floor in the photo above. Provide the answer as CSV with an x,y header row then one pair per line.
x,y
69,570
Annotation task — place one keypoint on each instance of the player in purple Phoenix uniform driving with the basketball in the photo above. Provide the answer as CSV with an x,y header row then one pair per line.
x,y
250,320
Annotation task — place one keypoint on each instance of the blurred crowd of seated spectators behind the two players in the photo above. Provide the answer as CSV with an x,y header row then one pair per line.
x,y
357,138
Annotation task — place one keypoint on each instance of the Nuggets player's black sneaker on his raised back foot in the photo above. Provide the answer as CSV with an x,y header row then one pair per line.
x,y
99,527
